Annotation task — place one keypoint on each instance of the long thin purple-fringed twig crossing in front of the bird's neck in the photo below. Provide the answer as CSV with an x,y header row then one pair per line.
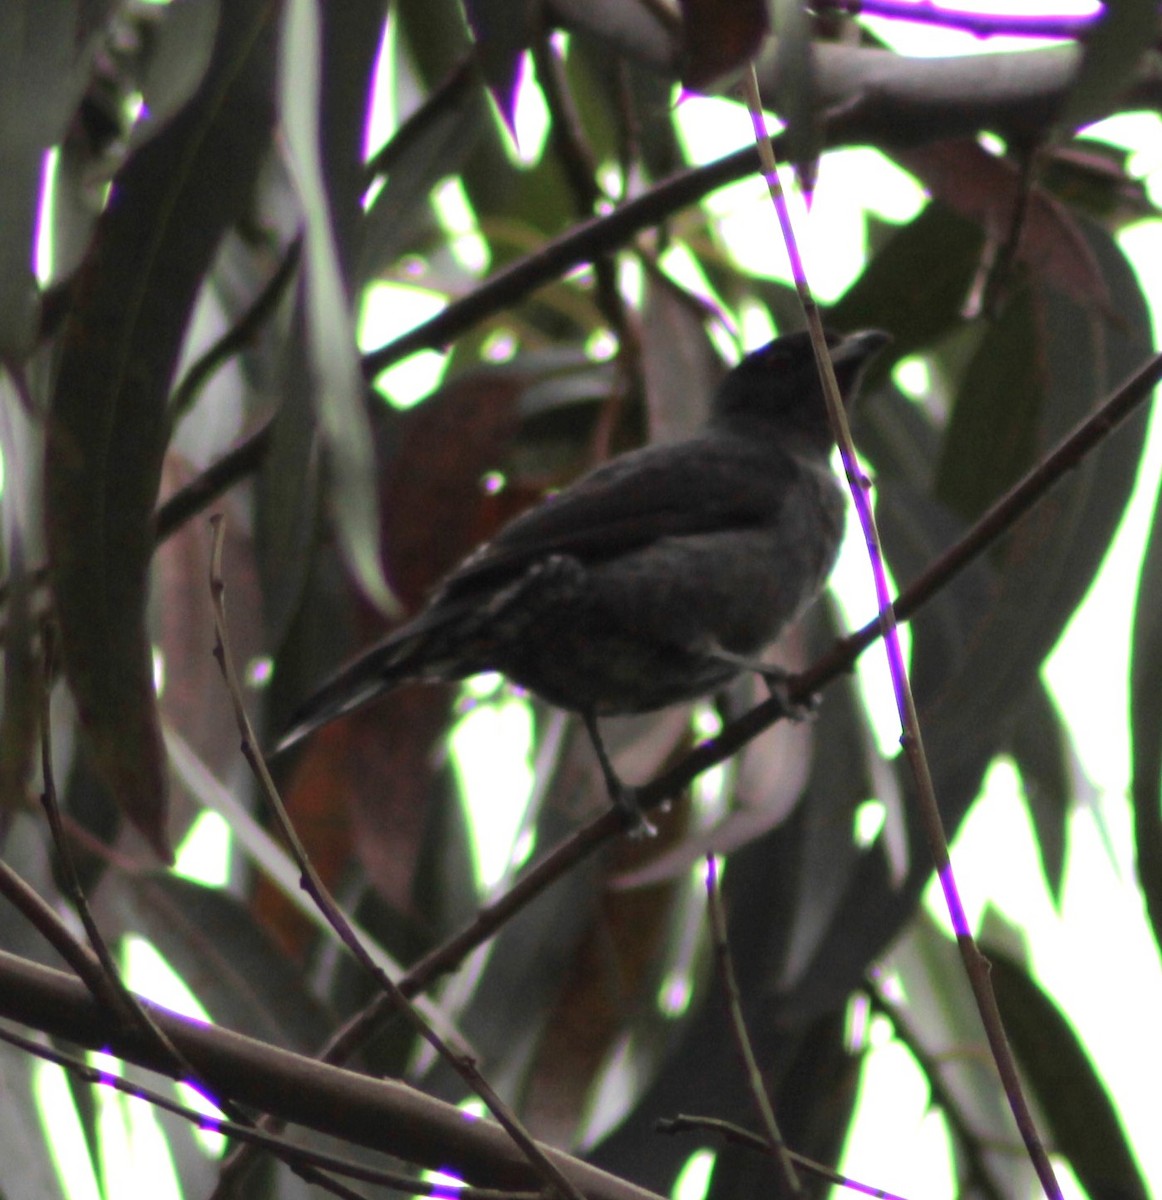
x,y
912,740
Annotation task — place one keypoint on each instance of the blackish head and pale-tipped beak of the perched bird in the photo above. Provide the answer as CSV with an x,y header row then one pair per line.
x,y
777,388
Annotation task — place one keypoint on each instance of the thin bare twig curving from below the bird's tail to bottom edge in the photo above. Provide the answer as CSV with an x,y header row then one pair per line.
x,y
312,881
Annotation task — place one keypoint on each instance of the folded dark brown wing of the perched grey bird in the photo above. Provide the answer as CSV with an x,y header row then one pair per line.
x,y
667,491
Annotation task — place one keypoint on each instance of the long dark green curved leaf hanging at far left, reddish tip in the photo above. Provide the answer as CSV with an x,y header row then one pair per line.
x,y
109,423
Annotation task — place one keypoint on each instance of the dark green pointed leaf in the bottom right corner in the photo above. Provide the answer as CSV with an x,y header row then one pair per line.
x,y
1082,1123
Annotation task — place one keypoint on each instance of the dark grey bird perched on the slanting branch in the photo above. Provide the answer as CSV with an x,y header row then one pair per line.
x,y
655,579
